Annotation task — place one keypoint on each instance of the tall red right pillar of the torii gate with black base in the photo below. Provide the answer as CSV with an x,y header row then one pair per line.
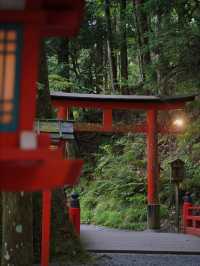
x,y
152,170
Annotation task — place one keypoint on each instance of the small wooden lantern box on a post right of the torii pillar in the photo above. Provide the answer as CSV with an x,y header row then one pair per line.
x,y
177,176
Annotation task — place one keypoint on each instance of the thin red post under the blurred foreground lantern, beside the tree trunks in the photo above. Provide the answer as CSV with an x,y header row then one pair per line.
x,y
46,219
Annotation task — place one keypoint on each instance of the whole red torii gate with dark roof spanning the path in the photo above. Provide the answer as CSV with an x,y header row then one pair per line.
x,y
107,103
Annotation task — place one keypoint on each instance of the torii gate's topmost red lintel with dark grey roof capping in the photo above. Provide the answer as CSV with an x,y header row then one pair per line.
x,y
119,101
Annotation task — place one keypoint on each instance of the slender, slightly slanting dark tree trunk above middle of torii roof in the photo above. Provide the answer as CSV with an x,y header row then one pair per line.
x,y
110,47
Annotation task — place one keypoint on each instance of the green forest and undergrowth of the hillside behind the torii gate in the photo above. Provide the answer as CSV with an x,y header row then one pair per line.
x,y
139,47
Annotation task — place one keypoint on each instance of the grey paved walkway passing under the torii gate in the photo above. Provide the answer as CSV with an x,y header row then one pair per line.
x,y
101,239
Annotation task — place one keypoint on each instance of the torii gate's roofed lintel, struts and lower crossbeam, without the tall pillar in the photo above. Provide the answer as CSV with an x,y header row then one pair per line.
x,y
107,103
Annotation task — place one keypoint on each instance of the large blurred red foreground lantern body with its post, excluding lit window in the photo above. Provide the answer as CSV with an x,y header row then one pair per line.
x,y
34,168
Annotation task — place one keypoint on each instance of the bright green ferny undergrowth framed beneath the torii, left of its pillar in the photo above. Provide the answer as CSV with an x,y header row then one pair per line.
x,y
116,196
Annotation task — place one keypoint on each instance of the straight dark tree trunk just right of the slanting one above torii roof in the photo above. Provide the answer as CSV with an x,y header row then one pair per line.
x,y
123,48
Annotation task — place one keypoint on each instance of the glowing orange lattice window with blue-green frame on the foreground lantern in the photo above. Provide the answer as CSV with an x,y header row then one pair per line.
x,y
9,75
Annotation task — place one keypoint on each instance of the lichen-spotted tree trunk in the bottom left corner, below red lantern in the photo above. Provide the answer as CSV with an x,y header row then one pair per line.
x,y
17,237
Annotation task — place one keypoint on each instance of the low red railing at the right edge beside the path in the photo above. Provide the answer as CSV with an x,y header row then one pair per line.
x,y
191,219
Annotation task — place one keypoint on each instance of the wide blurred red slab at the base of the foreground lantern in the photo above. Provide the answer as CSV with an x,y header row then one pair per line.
x,y
38,175
